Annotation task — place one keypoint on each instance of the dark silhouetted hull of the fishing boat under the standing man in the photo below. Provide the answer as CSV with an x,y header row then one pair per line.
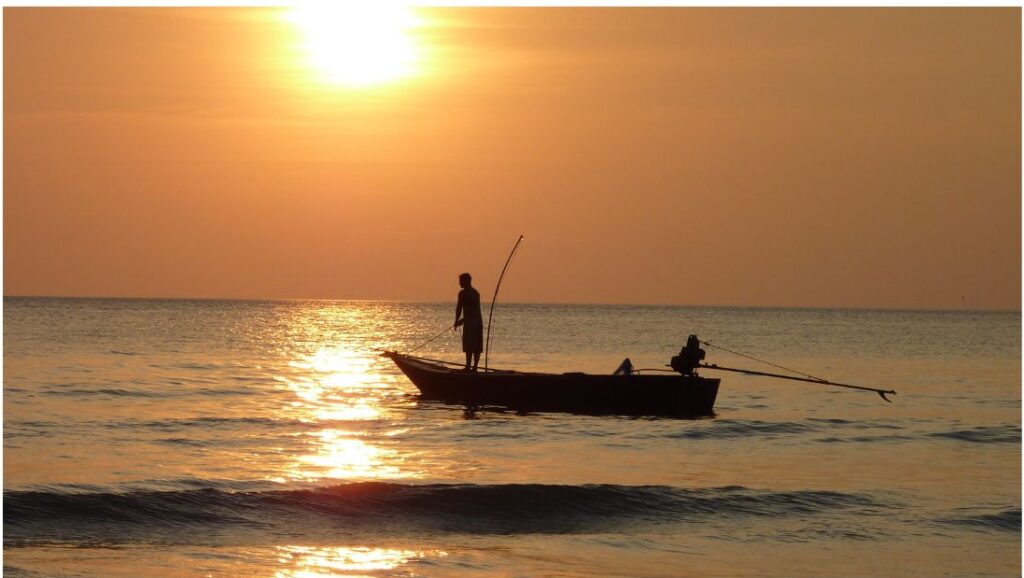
x,y
670,395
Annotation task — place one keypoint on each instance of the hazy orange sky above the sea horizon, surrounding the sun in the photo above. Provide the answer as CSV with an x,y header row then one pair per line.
x,y
864,158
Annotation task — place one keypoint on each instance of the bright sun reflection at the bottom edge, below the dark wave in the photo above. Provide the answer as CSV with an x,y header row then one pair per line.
x,y
312,562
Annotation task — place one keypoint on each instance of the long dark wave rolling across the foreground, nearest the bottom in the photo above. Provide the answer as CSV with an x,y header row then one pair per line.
x,y
514,509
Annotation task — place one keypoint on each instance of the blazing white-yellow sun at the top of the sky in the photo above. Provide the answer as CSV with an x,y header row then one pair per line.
x,y
357,44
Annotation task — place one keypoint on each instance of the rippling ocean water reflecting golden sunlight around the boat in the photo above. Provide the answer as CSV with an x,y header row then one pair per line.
x,y
270,439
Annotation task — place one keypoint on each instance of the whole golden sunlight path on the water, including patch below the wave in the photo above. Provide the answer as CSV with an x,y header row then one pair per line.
x,y
348,403
